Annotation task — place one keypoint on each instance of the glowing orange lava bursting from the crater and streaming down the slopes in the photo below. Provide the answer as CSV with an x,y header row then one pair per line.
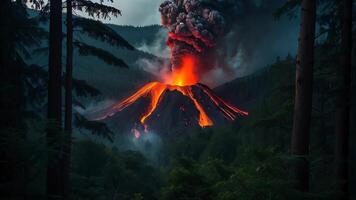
x,y
180,80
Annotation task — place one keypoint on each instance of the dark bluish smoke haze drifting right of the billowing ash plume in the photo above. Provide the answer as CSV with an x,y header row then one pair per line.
x,y
254,37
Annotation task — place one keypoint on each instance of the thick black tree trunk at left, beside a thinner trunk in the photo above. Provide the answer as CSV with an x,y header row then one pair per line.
x,y
54,169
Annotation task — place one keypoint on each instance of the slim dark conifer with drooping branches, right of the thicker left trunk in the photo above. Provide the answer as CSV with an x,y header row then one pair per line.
x,y
98,10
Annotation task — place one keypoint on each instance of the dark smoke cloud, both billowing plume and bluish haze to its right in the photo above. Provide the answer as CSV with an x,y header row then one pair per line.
x,y
231,37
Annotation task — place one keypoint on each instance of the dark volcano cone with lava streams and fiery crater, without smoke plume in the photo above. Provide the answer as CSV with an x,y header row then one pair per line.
x,y
179,101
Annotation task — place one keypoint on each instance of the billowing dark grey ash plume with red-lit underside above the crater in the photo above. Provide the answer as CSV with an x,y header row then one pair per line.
x,y
194,27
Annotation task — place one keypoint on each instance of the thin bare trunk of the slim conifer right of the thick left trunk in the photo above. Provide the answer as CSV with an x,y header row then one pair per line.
x,y
68,100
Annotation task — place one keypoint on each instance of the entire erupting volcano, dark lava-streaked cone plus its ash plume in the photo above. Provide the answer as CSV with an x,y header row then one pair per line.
x,y
178,100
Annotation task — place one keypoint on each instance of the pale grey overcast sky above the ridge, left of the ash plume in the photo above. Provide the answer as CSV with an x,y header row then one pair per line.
x,y
137,12
